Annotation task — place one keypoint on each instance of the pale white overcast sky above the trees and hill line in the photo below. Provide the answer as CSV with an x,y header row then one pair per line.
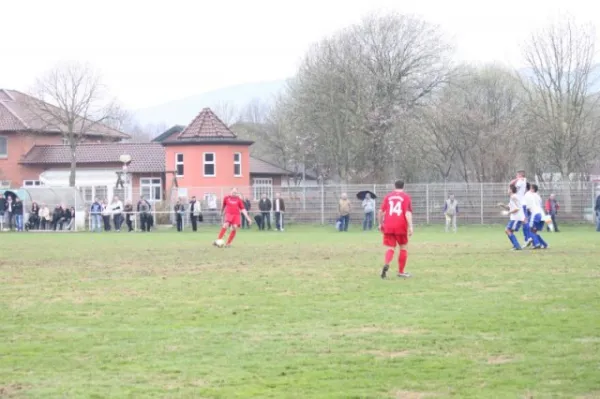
x,y
153,52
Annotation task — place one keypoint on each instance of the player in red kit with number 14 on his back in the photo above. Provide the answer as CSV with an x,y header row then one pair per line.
x,y
395,222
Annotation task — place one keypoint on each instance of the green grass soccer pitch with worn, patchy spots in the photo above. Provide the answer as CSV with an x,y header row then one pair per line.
x,y
301,314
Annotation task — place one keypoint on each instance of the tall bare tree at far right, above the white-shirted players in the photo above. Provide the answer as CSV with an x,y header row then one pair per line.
x,y
561,106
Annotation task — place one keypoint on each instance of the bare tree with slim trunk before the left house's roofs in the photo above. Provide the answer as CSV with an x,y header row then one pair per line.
x,y
71,99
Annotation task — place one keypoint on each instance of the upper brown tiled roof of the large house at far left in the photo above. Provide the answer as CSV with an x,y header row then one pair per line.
x,y
20,111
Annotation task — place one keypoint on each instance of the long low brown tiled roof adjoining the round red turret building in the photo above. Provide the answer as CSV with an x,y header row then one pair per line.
x,y
146,157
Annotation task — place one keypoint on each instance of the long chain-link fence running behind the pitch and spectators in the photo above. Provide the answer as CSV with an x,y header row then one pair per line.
x,y
319,205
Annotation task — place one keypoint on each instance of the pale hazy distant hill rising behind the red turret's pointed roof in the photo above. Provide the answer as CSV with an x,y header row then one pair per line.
x,y
183,111
